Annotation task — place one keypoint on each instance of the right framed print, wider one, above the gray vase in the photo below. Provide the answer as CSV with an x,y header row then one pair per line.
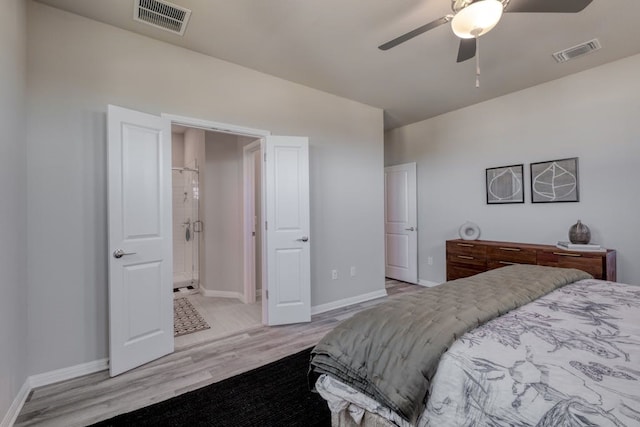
x,y
555,181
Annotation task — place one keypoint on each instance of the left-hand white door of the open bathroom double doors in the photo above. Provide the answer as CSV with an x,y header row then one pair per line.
x,y
140,257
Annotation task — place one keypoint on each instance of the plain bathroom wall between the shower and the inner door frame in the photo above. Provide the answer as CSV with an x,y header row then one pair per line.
x,y
223,215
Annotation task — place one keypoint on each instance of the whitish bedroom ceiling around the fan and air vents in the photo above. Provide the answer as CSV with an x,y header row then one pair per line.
x,y
331,45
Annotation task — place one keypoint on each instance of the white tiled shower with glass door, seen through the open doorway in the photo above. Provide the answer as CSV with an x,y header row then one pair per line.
x,y
186,227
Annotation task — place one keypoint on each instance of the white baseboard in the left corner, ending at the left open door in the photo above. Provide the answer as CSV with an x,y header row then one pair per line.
x,y
47,378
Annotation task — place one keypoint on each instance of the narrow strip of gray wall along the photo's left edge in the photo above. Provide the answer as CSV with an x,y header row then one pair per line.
x,y
13,225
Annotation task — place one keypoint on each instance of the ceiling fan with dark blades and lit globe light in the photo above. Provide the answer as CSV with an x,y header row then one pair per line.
x,y
473,18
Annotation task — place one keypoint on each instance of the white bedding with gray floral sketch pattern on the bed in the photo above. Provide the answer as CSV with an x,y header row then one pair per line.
x,y
570,358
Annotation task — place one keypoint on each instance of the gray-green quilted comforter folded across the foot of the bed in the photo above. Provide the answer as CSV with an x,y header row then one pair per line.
x,y
391,352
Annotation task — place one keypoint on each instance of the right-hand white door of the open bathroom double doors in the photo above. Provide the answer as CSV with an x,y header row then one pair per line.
x,y
286,183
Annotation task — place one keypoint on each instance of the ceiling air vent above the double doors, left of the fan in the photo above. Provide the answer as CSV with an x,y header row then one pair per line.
x,y
162,14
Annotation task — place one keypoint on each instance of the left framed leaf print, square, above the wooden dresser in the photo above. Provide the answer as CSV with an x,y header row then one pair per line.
x,y
505,184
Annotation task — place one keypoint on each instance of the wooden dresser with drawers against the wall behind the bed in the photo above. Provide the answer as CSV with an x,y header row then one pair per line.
x,y
469,257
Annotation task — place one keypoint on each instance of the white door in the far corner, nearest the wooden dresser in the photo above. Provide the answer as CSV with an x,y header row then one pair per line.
x,y
400,223
